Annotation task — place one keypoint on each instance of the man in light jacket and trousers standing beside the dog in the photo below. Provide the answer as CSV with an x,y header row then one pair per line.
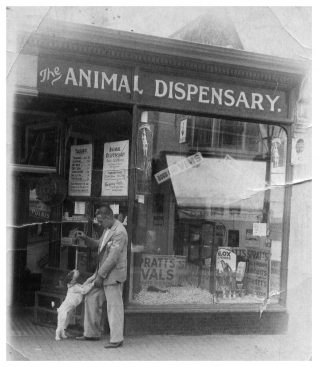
x,y
110,274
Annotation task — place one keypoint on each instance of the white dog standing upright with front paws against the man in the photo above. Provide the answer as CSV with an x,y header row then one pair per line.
x,y
74,296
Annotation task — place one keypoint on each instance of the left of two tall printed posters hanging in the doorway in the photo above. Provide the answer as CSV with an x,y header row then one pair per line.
x,y
80,176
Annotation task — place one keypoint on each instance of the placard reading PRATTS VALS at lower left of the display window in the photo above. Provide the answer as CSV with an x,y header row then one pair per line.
x,y
161,270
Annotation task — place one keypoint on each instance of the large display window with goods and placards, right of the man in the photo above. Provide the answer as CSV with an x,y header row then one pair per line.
x,y
208,211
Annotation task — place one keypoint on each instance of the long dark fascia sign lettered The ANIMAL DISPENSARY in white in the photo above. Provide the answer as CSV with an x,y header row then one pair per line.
x,y
92,81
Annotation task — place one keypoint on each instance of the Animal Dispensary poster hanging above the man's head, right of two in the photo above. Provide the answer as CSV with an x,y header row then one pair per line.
x,y
115,168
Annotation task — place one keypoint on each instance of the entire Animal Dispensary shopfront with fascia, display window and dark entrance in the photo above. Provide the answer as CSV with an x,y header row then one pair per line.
x,y
191,147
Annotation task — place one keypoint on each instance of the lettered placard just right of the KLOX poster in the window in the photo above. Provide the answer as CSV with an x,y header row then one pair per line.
x,y
258,271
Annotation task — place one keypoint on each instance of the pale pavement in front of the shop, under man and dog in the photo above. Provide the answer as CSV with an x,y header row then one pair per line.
x,y
29,342
